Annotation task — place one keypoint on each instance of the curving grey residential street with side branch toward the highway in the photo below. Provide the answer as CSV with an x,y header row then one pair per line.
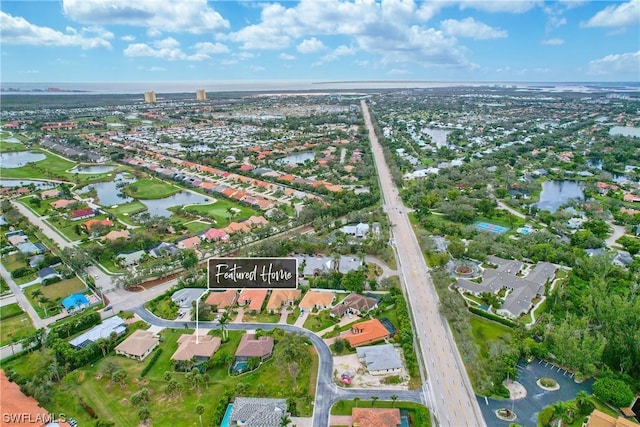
x,y
327,392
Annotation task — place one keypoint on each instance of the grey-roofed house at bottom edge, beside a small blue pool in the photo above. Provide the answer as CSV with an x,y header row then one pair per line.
x,y
257,412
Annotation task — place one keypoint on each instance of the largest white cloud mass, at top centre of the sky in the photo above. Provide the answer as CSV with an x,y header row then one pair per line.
x,y
395,35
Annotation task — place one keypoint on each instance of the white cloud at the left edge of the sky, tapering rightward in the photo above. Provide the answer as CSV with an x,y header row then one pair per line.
x,y
17,30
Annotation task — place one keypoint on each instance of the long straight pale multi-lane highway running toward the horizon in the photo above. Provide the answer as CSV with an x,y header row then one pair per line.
x,y
448,390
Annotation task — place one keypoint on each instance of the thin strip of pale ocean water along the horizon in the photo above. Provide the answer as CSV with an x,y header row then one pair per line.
x,y
301,85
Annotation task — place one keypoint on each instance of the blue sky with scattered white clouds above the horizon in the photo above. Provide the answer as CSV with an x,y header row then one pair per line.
x,y
319,40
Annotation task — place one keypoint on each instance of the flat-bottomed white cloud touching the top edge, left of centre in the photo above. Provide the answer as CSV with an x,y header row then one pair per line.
x,y
192,16
